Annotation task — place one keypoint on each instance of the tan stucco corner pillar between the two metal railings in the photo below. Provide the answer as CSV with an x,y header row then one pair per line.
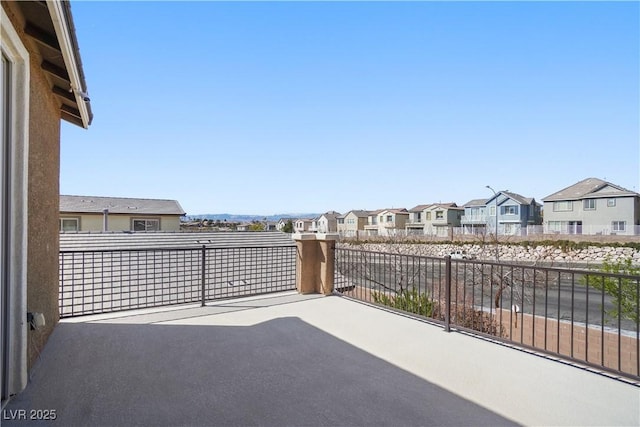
x,y
315,254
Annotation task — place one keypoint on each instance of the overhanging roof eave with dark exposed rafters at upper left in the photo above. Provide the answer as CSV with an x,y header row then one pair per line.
x,y
50,25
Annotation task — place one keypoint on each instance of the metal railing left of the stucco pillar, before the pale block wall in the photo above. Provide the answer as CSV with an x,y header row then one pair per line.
x,y
101,281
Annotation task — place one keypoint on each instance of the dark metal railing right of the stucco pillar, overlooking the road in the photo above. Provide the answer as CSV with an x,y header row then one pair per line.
x,y
584,316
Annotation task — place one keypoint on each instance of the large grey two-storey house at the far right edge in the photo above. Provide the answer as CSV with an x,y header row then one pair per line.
x,y
592,206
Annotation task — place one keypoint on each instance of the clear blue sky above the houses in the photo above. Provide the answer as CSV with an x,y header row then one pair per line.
x,y
289,107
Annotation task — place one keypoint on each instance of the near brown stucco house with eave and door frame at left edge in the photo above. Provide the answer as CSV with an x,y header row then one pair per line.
x,y
42,82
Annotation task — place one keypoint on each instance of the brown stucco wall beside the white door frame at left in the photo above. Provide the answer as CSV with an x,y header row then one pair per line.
x,y
43,190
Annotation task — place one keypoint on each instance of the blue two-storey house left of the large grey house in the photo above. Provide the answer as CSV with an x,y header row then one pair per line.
x,y
505,213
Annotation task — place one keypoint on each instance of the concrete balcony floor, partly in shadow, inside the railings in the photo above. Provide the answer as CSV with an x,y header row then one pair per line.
x,y
288,359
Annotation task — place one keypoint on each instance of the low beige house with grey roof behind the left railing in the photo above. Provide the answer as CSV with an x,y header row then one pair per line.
x,y
86,213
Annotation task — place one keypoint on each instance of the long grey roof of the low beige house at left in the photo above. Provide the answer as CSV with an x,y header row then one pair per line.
x,y
119,205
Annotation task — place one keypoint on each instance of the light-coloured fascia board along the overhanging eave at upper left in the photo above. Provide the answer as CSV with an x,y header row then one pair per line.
x,y
58,17
